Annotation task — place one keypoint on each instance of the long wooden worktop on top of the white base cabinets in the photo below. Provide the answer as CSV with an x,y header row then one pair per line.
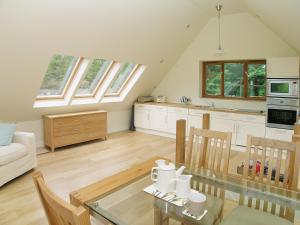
x,y
208,108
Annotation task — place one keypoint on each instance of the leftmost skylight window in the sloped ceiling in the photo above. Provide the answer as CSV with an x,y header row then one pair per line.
x,y
57,75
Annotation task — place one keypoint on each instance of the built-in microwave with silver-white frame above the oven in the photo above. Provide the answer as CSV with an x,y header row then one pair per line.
x,y
283,87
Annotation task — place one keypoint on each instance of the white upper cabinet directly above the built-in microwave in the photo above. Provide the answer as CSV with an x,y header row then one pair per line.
x,y
283,67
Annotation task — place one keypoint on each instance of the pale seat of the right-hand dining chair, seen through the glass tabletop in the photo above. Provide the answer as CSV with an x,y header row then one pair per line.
x,y
243,215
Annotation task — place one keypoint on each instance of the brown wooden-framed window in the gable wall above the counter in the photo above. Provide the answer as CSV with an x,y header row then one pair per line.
x,y
243,79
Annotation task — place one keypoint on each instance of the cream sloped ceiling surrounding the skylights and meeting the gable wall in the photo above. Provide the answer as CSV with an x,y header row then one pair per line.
x,y
141,31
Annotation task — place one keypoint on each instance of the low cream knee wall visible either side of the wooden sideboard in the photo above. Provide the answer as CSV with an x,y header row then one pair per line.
x,y
116,121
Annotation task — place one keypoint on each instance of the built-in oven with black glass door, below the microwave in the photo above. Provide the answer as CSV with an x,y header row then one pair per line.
x,y
282,112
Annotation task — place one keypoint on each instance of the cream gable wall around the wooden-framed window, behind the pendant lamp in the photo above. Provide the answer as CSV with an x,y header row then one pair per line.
x,y
243,37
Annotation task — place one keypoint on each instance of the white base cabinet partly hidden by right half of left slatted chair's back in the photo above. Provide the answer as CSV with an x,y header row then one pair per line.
x,y
224,125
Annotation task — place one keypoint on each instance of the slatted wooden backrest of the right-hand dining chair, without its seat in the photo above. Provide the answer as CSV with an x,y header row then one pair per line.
x,y
274,163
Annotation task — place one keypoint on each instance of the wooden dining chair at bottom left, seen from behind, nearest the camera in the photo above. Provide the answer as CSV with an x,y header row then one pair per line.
x,y
58,211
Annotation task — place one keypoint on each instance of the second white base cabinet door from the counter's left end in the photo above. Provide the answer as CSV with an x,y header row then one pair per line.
x,y
158,118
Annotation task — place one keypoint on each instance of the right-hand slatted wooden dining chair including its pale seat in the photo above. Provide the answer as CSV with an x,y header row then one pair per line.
x,y
272,163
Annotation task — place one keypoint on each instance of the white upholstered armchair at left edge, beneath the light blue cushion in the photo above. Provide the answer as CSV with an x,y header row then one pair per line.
x,y
18,157
